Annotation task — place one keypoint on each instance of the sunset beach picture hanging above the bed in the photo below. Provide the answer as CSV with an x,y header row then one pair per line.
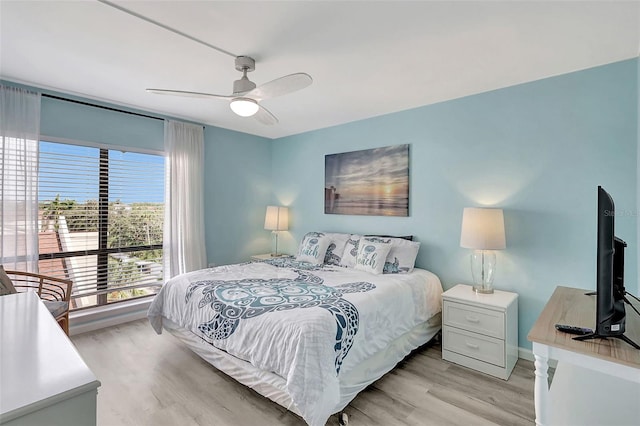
x,y
372,182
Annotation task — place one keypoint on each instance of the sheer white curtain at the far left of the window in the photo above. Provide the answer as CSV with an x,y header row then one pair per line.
x,y
19,135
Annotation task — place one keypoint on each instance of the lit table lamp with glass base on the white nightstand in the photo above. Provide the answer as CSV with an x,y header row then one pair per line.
x,y
483,231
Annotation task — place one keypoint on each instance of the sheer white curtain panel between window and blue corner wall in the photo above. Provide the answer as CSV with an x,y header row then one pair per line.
x,y
183,239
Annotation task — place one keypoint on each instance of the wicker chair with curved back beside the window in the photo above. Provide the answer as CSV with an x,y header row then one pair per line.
x,y
54,292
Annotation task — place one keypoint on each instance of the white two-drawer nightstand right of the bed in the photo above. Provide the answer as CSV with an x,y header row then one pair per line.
x,y
480,331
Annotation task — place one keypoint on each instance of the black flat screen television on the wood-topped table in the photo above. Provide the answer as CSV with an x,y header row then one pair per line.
x,y
610,291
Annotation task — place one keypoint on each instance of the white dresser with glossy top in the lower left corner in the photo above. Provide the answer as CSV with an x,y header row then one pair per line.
x,y
43,379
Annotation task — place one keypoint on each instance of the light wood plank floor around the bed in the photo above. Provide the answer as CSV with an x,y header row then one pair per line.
x,y
149,379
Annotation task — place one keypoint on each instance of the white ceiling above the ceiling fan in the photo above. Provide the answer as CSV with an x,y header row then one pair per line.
x,y
366,58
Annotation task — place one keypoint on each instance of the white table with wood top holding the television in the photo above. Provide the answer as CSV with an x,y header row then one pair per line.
x,y
586,370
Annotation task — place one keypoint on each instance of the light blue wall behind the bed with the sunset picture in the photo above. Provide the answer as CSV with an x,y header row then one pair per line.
x,y
538,150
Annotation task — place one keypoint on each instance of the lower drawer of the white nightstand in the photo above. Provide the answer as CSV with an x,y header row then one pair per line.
x,y
473,345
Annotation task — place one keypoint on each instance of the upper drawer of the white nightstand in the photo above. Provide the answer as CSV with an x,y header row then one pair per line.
x,y
478,320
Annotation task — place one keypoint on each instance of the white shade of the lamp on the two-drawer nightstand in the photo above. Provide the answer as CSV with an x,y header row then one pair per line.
x,y
482,229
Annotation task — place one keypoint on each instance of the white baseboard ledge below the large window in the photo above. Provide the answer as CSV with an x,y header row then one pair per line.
x,y
107,316
